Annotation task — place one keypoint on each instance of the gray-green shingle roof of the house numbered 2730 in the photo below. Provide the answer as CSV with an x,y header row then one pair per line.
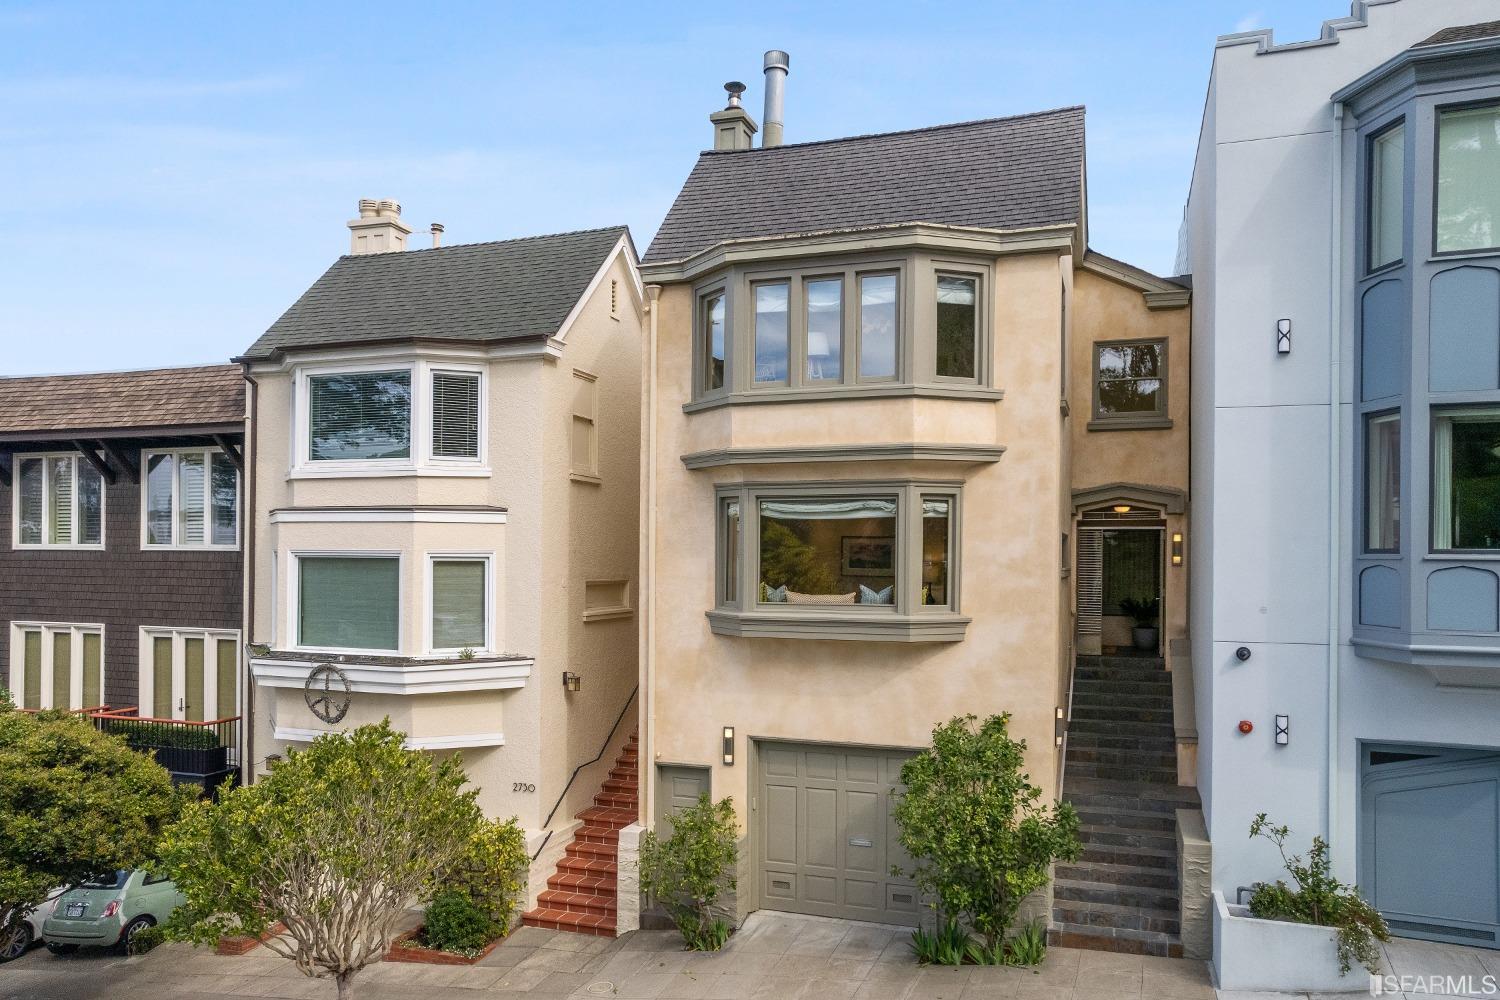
x,y
476,292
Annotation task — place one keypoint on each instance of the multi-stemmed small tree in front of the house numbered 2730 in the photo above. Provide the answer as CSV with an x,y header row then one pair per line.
x,y
335,843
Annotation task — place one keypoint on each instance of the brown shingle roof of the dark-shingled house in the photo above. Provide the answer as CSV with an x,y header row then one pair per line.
x,y
118,401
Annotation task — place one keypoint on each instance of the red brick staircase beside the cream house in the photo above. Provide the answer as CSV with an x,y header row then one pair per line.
x,y
581,896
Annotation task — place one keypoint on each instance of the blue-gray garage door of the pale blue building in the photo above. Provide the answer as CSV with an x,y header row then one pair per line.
x,y
1430,842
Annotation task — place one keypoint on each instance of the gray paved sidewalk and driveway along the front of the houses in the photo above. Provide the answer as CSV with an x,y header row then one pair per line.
x,y
775,956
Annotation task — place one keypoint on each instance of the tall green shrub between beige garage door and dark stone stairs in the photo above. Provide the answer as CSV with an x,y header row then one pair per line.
x,y
976,827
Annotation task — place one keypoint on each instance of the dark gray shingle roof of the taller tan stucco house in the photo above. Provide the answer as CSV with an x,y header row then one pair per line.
x,y
998,175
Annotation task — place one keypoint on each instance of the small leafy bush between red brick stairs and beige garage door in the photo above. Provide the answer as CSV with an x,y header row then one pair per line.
x,y
689,870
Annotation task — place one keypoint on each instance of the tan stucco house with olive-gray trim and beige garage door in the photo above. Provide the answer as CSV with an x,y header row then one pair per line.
x,y
889,395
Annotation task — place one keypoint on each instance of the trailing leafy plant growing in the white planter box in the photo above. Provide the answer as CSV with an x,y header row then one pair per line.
x,y
1319,899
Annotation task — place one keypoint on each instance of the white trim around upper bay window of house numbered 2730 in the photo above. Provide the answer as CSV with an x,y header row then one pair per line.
x,y
422,461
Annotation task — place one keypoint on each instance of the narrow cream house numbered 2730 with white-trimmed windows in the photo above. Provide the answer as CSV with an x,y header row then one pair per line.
x,y
445,509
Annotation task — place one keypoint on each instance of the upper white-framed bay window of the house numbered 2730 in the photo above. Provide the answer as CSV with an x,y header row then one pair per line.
x,y
403,418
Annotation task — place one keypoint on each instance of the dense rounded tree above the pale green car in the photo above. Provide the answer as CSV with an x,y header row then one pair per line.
x,y
74,803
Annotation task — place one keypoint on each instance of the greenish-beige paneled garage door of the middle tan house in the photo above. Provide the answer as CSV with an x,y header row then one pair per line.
x,y
824,834
